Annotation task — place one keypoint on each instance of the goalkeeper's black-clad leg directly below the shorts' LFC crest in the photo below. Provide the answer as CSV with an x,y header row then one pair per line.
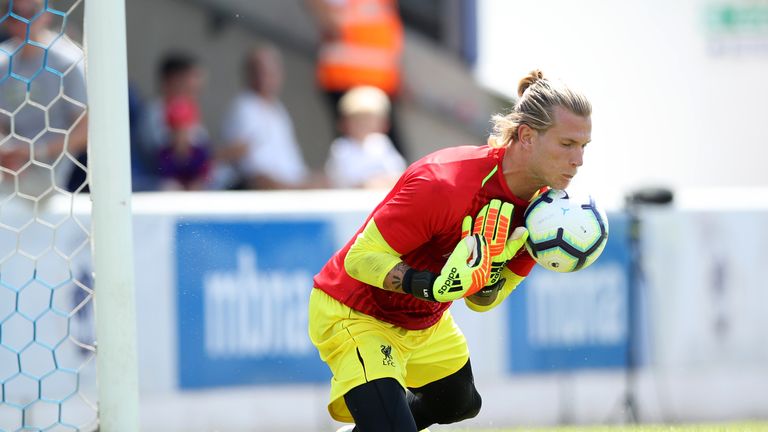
x,y
380,406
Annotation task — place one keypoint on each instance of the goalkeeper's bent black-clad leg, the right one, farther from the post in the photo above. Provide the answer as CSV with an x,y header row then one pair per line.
x,y
447,400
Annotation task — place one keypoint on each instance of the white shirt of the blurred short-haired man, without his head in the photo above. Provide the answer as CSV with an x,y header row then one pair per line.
x,y
267,129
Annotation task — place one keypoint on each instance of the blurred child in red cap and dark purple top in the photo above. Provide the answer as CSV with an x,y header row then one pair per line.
x,y
184,162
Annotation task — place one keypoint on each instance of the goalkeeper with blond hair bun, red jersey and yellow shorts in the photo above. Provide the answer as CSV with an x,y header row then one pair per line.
x,y
450,229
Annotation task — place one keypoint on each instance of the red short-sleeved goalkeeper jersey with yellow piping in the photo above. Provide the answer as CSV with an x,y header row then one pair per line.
x,y
421,219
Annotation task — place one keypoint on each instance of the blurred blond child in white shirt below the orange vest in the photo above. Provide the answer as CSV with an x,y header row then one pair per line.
x,y
363,156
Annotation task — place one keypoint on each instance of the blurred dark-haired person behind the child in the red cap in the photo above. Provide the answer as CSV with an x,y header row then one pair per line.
x,y
180,76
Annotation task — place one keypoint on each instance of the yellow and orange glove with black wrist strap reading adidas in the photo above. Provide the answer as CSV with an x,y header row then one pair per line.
x,y
465,272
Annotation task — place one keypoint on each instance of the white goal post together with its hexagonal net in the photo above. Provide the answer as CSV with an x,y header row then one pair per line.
x,y
65,256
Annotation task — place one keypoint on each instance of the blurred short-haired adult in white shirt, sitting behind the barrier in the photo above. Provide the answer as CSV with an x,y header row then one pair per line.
x,y
259,133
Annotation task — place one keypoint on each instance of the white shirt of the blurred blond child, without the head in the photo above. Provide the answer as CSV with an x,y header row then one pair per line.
x,y
352,164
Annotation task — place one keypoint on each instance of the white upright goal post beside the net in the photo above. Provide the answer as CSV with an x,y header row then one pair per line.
x,y
112,233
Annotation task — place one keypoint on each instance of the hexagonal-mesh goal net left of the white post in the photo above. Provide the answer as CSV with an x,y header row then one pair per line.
x,y
48,361
